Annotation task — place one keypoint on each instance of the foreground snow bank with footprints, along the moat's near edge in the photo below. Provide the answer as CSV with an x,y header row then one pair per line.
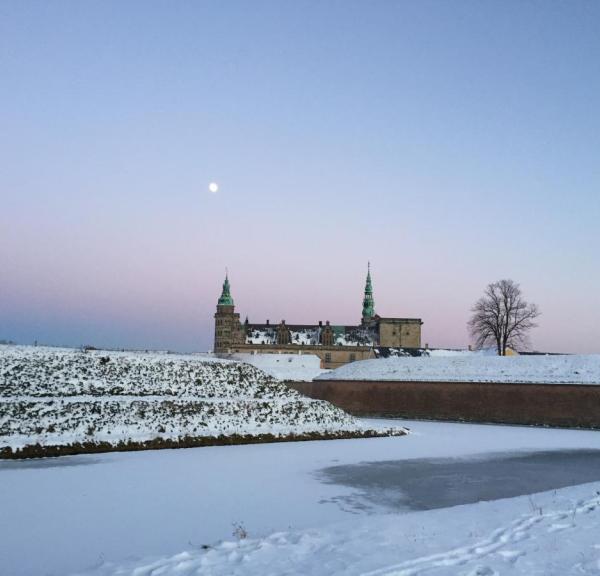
x,y
555,533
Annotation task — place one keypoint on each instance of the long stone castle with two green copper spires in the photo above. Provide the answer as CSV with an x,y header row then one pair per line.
x,y
334,345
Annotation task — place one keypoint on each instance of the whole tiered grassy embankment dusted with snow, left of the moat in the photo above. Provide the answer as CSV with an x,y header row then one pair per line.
x,y
57,397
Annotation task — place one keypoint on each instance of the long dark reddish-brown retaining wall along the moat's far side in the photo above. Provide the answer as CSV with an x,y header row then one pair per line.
x,y
532,404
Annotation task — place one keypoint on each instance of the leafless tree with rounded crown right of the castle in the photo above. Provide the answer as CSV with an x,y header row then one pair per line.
x,y
502,317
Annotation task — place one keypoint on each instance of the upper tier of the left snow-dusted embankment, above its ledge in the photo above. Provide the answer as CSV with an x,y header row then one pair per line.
x,y
39,371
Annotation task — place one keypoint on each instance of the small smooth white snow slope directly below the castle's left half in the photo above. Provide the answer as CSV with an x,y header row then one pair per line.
x,y
291,367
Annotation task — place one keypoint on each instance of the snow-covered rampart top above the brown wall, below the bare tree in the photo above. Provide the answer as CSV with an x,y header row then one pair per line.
x,y
568,369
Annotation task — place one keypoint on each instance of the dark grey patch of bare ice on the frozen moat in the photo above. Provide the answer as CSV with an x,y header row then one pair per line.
x,y
429,483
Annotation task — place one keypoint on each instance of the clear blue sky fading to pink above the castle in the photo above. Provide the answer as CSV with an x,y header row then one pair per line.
x,y
451,144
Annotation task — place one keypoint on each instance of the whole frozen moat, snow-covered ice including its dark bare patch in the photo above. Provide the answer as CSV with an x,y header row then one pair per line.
x,y
83,511
